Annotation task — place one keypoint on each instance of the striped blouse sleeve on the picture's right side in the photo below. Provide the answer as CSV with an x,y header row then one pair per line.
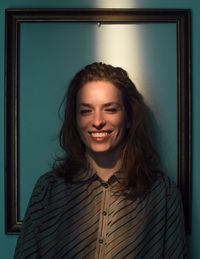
x,y
175,240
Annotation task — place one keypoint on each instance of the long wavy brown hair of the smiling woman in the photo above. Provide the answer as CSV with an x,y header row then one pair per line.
x,y
139,159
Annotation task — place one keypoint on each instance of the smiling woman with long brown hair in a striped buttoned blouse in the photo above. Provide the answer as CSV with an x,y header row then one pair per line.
x,y
107,197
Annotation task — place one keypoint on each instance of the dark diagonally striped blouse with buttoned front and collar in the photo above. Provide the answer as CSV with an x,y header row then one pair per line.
x,y
90,220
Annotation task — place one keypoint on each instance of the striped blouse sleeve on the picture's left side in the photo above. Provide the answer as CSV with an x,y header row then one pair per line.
x,y
28,240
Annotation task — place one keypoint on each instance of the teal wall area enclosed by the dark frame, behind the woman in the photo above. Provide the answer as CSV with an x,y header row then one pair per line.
x,y
50,53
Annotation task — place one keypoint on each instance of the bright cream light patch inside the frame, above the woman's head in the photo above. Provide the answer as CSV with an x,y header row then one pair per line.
x,y
119,45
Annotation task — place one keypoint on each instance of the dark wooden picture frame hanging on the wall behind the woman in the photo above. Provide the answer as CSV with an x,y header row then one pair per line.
x,y
16,16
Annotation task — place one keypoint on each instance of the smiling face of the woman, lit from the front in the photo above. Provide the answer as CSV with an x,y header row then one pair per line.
x,y
101,117
